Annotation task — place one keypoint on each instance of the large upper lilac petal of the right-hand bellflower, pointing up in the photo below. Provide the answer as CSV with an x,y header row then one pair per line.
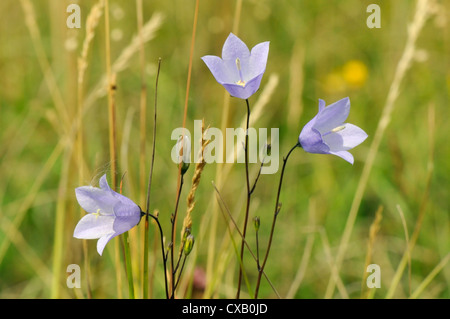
x,y
332,116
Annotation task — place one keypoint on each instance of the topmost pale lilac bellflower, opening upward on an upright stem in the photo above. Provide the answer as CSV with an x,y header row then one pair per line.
x,y
239,70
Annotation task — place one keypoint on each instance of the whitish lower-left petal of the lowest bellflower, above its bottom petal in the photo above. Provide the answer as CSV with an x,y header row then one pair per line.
x,y
93,226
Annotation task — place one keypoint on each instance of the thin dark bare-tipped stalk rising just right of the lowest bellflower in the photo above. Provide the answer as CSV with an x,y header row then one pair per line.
x,y
149,188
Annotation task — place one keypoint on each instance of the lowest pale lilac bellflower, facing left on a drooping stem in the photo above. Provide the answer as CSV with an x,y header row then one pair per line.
x,y
109,213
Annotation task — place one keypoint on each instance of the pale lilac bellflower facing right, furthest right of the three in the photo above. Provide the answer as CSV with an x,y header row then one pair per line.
x,y
327,133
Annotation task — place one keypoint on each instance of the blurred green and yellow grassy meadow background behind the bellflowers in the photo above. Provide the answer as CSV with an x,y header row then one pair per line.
x,y
318,49
